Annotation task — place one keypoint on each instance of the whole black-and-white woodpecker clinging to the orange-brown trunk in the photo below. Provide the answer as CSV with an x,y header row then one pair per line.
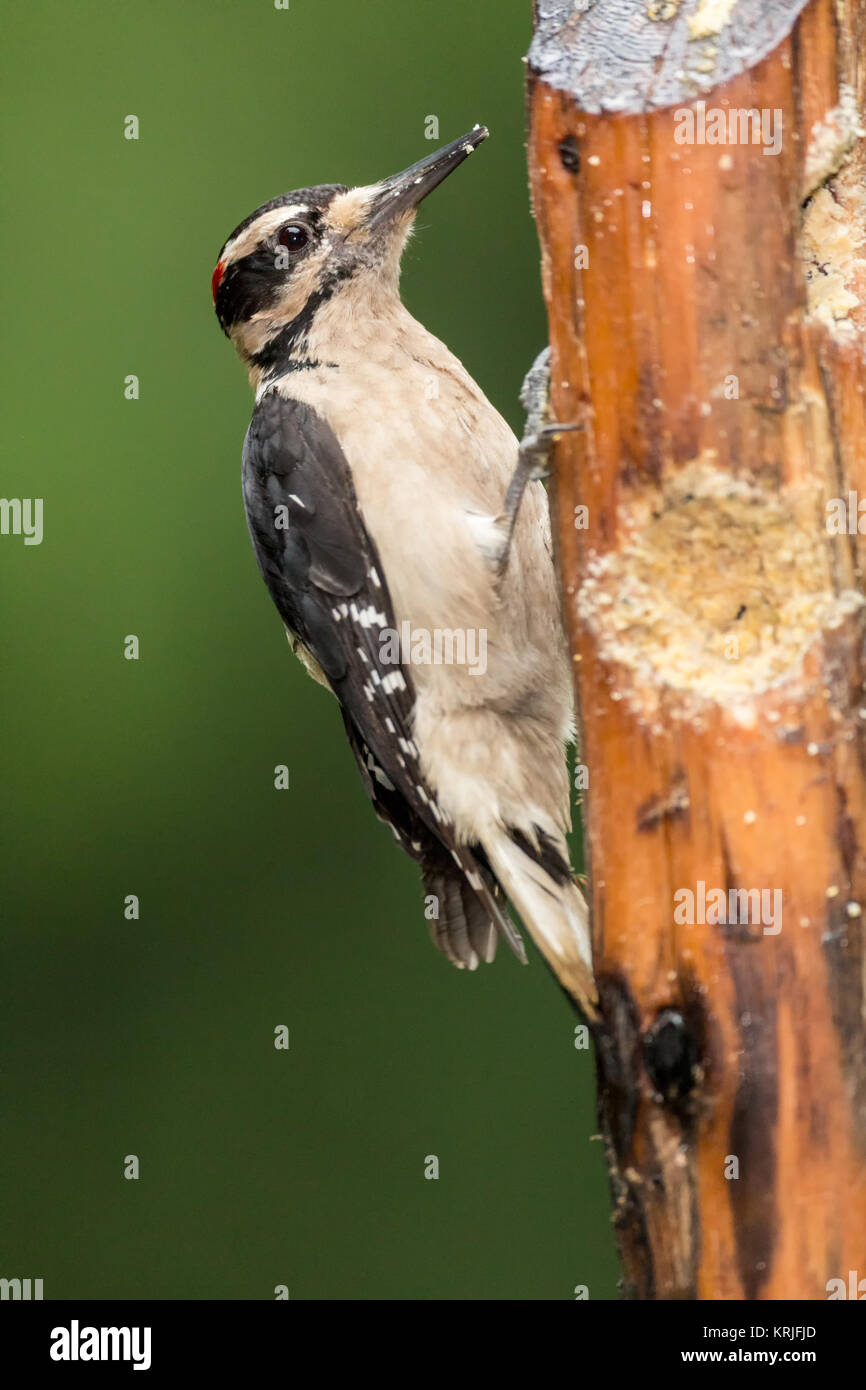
x,y
386,496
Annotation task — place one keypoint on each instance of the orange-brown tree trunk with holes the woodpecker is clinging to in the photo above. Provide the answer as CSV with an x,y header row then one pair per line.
x,y
707,304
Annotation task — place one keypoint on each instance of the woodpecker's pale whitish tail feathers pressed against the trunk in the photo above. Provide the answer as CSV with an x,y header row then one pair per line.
x,y
536,875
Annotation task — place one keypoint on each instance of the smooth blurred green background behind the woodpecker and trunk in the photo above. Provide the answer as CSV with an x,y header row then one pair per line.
x,y
156,778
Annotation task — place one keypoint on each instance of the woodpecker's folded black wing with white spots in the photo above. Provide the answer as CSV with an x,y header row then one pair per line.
x,y
325,575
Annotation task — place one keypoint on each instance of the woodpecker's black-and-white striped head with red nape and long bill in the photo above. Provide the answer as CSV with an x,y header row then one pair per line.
x,y
320,247
